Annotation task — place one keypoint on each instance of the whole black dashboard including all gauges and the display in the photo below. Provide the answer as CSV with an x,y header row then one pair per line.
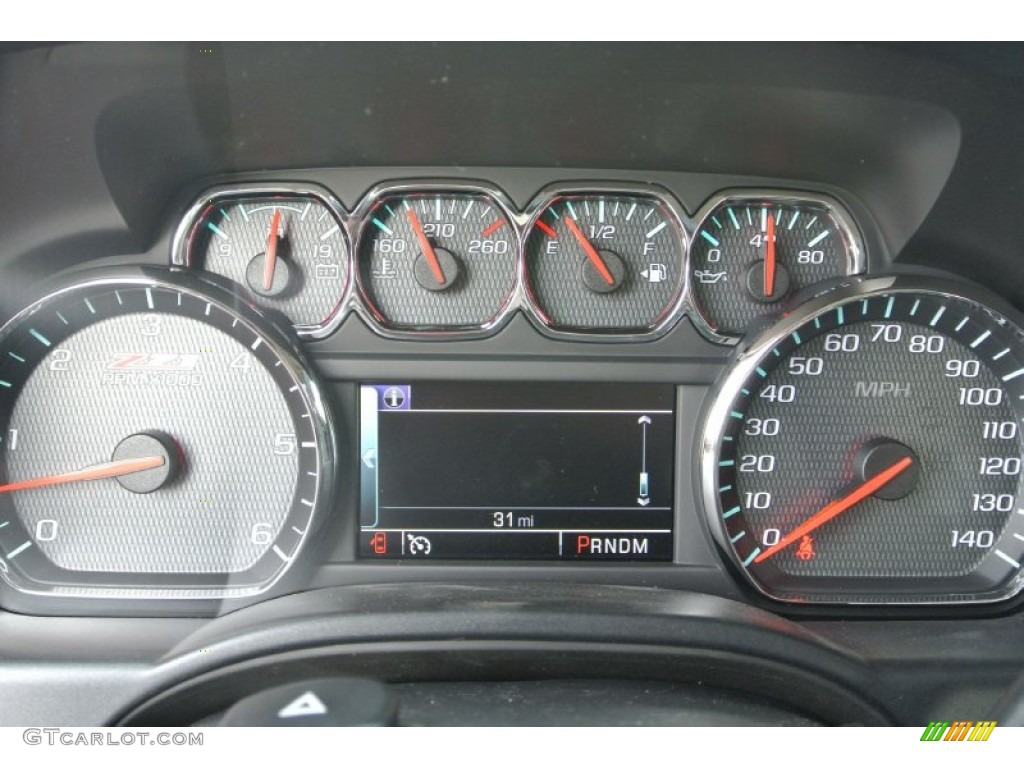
x,y
494,373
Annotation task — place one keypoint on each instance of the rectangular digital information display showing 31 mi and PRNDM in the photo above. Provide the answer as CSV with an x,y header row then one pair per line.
x,y
517,472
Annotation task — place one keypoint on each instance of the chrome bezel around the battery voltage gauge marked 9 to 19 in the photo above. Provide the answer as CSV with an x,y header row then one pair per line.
x,y
188,230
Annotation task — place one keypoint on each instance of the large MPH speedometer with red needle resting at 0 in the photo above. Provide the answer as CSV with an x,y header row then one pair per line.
x,y
872,453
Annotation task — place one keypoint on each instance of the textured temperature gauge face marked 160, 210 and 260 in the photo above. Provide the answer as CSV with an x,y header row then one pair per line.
x,y
438,262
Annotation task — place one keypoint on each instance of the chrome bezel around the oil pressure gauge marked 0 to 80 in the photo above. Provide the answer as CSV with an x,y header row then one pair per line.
x,y
857,259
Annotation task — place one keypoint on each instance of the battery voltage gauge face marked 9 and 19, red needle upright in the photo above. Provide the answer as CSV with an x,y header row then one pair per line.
x,y
287,252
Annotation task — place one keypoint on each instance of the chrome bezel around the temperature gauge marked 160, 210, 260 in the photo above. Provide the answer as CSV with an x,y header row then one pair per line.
x,y
360,225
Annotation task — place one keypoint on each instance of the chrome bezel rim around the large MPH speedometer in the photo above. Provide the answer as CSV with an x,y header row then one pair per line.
x,y
752,352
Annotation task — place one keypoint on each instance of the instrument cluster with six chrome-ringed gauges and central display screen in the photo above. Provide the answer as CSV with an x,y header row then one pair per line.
x,y
165,435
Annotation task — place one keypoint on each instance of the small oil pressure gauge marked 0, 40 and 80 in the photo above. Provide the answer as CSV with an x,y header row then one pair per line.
x,y
753,251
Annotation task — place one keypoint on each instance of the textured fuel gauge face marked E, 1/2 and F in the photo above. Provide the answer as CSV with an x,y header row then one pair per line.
x,y
606,264
